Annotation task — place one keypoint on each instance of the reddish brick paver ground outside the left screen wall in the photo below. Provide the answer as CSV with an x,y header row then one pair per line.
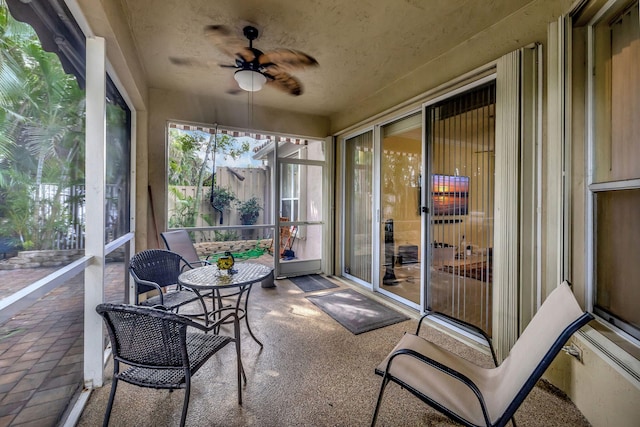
x,y
41,348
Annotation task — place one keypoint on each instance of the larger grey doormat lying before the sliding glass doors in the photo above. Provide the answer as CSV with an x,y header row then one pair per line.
x,y
356,312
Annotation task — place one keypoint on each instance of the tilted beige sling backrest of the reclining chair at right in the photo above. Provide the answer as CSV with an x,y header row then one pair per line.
x,y
558,318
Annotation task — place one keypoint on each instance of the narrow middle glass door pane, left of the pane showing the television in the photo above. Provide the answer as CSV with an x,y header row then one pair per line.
x,y
400,212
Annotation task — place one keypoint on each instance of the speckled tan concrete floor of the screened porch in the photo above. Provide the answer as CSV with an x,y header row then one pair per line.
x,y
311,372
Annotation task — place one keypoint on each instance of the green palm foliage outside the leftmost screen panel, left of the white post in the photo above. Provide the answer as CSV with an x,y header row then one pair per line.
x,y
41,137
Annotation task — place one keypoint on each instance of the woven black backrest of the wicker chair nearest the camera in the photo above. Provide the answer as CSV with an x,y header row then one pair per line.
x,y
145,336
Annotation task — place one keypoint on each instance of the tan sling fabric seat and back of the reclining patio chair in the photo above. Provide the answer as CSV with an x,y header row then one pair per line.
x,y
499,386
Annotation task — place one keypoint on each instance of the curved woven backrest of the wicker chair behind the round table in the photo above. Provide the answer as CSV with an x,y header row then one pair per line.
x,y
156,265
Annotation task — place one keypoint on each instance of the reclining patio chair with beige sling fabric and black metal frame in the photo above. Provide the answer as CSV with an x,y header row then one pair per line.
x,y
476,396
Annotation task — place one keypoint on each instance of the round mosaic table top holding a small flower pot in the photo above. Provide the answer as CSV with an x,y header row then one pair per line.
x,y
210,277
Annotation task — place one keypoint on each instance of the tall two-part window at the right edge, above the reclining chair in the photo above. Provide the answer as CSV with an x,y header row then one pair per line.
x,y
615,185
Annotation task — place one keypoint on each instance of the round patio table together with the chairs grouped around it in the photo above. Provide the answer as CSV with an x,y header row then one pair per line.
x,y
163,349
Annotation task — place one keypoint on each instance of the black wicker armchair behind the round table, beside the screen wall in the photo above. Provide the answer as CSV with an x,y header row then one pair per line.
x,y
157,269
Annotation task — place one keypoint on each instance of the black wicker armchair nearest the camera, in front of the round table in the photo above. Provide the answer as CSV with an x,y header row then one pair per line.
x,y
162,349
